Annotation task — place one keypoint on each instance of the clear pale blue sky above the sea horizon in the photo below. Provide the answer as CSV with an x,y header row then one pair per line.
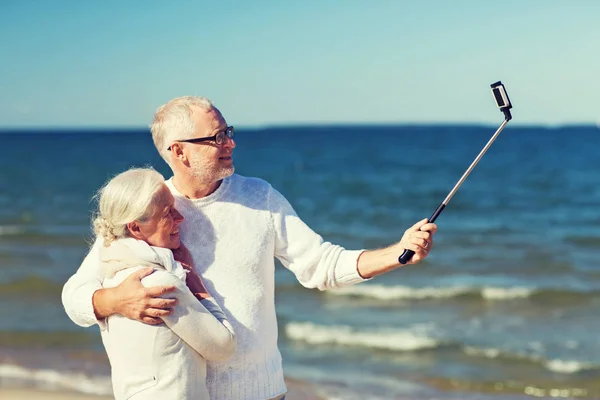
x,y
111,63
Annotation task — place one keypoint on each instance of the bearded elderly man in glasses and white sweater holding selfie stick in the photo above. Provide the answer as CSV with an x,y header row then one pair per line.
x,y
234,227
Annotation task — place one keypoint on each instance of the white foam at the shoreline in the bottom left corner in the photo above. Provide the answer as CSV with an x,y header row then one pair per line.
x,y
48,378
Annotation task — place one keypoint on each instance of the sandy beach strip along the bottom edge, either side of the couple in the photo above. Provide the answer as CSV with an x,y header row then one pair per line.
x,y
297,390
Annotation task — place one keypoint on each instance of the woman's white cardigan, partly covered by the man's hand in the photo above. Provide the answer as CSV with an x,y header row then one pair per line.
x,y
164,361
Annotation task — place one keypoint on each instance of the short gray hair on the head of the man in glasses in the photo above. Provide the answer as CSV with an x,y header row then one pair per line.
x,y
174,121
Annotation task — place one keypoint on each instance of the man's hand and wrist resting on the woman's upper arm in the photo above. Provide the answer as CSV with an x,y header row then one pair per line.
x,y
134,301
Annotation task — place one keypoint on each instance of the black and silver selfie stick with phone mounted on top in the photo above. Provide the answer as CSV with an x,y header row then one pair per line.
x,y
504,104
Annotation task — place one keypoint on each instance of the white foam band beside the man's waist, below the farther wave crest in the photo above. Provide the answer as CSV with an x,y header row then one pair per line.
x,y
386,339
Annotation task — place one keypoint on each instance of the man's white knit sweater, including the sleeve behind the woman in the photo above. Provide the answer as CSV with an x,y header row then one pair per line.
x,y
234,235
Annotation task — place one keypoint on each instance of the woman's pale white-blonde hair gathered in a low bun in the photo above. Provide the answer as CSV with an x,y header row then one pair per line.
x,y
129,196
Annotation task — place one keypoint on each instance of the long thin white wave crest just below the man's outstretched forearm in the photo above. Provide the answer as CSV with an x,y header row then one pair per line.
x,y
382,292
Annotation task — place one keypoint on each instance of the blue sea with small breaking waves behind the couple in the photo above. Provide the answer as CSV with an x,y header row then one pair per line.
x,y
505,307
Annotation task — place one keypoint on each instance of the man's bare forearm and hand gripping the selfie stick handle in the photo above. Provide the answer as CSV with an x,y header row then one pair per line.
x,y
418,238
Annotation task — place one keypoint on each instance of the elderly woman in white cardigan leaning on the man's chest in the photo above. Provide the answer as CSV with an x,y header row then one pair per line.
x,y
138,223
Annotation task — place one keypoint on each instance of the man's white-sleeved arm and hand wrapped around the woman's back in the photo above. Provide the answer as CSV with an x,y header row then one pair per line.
x,y
87,303
